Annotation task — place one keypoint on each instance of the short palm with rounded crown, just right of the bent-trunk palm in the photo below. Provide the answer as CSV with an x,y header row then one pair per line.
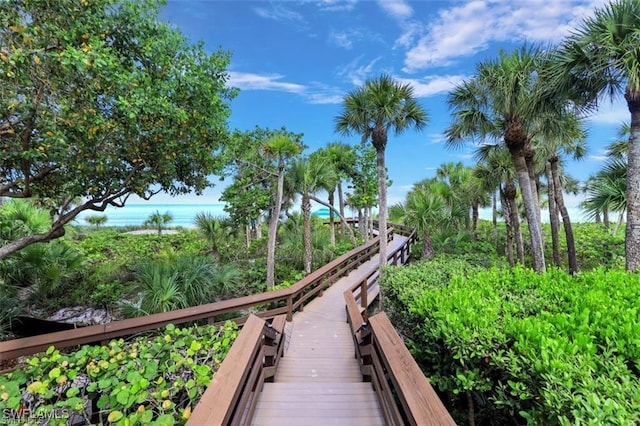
x,y
307,176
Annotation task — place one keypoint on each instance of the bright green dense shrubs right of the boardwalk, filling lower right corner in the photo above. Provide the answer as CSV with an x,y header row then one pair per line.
x,y
523,347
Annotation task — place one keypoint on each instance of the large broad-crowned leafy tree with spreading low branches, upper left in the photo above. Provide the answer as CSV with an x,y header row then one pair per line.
x,y
98,101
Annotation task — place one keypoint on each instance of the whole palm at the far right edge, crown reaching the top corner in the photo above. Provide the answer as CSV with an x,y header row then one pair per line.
x,y
600,58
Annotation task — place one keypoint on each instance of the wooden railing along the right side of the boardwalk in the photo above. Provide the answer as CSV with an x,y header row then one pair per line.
x,y
405,395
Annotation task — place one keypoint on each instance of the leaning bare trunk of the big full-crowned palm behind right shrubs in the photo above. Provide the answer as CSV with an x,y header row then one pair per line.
x,y
531,209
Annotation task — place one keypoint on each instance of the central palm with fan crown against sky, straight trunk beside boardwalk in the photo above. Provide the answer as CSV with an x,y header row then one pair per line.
x,y
382,104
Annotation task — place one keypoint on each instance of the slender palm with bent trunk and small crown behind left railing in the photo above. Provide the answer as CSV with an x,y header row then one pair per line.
x,y
280,148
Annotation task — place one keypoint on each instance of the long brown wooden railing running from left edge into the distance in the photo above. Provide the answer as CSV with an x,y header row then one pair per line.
x,y
266,305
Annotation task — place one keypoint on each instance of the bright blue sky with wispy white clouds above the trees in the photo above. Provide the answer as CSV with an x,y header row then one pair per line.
x,y
293,62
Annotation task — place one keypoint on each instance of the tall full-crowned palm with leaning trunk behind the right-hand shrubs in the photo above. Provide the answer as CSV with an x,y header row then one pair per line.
x,y
505,101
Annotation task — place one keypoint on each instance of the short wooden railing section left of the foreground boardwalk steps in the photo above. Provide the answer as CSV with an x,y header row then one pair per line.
x,y
232,395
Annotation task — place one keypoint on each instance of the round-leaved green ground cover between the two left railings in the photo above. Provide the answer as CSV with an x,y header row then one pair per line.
x,y
149,380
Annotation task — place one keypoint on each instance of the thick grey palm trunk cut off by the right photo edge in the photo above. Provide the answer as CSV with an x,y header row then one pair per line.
x,y
632,234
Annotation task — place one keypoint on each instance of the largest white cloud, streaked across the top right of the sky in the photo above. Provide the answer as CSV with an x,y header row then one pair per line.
x,y
469,27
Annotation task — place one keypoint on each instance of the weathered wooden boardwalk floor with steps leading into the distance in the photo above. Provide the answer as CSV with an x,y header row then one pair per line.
x,y
318,381
